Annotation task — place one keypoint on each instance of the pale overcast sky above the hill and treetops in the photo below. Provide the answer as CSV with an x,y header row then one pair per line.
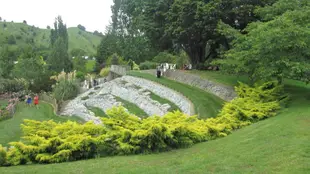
x,y
93,14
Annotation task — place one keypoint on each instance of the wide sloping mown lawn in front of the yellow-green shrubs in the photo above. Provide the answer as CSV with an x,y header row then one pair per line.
x,y
276,145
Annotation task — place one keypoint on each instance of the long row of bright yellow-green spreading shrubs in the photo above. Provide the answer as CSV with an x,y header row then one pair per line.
x,y
123,133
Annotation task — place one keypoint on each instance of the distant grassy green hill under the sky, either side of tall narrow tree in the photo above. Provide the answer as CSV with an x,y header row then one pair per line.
x,y
18,34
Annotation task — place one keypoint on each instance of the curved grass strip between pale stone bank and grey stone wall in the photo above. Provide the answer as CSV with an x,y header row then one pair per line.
x,y
206,104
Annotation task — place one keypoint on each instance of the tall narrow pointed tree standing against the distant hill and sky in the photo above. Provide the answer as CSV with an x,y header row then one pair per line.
x,y
59,59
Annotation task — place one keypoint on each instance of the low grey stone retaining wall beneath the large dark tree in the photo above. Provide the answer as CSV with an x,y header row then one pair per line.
x,y
224,92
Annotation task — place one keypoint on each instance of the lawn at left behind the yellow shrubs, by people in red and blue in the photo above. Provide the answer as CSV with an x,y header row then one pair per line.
x,y
10,129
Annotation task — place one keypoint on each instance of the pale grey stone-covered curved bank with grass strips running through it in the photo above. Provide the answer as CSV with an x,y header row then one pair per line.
x,y
132,89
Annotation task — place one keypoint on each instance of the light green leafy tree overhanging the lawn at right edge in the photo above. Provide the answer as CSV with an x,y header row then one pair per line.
x,y
278,48
